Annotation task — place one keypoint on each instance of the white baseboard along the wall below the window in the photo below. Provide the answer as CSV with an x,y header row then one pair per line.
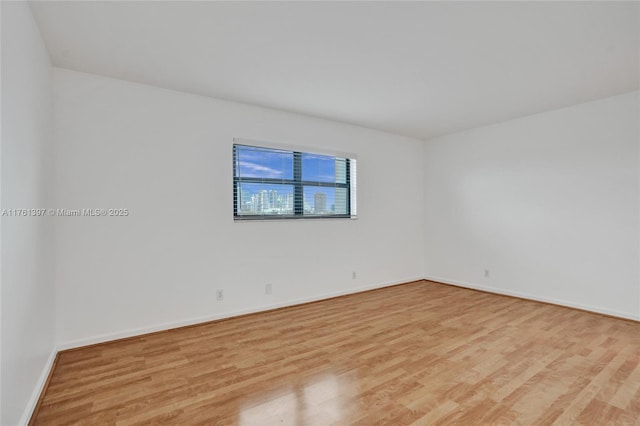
x,y
192,321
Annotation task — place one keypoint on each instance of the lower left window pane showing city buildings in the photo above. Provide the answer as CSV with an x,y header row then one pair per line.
x,y
264,199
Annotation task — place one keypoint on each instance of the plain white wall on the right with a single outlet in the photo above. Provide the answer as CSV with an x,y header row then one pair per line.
x,y
548,203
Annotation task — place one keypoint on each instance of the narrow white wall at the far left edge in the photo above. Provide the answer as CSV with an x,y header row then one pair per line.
x,y
27,264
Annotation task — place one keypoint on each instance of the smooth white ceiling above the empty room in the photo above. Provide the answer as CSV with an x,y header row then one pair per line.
x,y
419,69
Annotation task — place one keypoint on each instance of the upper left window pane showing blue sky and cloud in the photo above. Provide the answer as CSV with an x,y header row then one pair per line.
x,y
263,163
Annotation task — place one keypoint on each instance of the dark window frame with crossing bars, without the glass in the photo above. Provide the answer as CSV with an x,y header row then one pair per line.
x,y
296,182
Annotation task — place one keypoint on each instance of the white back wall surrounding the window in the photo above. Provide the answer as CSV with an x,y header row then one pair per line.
x,y
166,156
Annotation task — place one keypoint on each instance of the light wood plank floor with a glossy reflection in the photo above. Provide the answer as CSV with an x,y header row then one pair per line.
x,y
420,353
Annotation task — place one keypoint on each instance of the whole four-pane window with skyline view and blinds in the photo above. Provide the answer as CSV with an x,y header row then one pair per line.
x,y
271,183
